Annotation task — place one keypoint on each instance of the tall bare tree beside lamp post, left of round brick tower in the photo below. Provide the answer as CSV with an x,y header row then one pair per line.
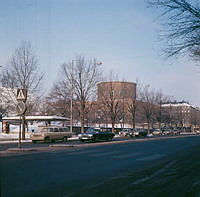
x,y
83,76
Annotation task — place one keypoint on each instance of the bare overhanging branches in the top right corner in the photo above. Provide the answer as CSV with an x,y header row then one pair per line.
x,y
182,26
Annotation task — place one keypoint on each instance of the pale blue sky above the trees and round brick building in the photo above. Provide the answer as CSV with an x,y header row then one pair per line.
x,y
122,34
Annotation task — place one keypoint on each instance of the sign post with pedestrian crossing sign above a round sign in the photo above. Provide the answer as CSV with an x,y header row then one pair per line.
x,y
21,110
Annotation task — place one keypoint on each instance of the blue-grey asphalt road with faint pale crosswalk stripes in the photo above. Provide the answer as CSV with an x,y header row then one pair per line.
x,y
67,171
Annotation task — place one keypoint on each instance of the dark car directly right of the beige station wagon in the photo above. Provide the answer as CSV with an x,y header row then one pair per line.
x,y
96,136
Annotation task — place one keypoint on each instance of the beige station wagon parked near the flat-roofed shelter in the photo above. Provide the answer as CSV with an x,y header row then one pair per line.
x,y
51,133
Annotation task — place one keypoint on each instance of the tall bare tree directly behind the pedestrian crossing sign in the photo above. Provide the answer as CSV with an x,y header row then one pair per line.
x,y
22,72
